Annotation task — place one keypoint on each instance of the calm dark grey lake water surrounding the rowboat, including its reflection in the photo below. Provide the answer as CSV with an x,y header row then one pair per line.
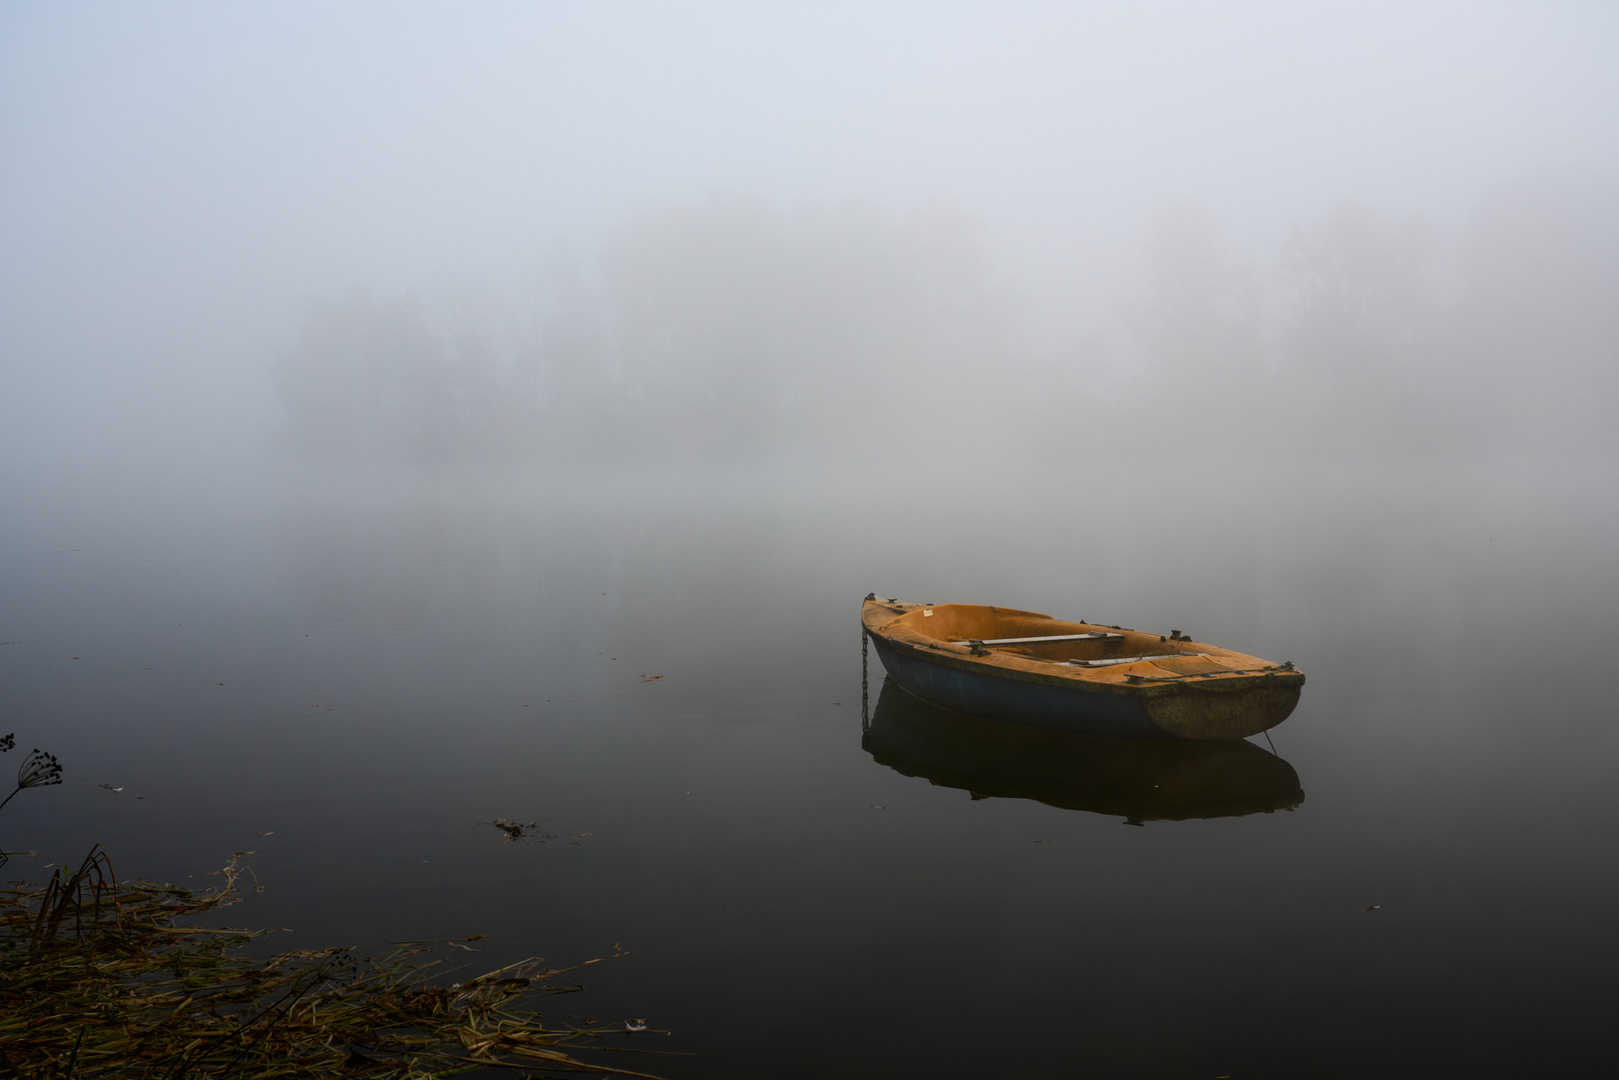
x,y
365,670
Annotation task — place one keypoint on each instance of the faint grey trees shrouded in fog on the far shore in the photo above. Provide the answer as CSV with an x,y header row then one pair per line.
x,y
733,330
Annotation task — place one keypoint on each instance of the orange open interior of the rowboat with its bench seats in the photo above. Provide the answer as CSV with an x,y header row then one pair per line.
x,y
959,623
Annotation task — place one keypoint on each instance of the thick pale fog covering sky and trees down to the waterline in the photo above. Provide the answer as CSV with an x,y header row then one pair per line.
x,y
1055,236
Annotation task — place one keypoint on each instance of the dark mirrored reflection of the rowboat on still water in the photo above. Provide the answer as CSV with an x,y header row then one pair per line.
x,y
1139,781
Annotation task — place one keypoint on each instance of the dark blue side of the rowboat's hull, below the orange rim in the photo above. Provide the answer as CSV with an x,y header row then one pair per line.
x,y
1042,705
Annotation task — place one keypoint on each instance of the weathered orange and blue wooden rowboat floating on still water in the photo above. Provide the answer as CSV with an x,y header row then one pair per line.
x,y
1021,666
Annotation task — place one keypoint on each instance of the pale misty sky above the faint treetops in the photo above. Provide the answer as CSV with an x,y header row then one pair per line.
x,y
177,179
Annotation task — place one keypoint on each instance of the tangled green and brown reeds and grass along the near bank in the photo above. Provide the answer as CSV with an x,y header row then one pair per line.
x,y
103,979
